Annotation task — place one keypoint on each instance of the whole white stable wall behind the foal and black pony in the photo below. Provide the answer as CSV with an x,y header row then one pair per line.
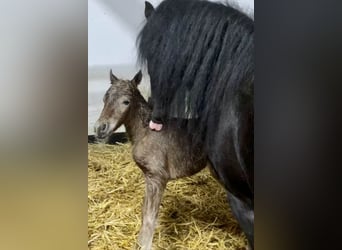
x,y
113,26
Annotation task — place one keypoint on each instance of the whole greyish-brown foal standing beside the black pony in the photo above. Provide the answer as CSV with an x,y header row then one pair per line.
x,y
162,156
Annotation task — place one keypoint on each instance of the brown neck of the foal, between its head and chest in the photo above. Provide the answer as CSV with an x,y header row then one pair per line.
x,y
136,122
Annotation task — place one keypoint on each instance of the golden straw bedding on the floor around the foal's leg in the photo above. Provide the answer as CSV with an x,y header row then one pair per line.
x,y
194,213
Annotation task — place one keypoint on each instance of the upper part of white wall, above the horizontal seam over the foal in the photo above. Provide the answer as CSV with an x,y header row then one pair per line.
x,y
113,26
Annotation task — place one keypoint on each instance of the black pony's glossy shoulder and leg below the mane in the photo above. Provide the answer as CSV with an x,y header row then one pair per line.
x,y
229,145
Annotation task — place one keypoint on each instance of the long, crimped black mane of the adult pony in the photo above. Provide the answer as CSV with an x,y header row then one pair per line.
x,y
200,59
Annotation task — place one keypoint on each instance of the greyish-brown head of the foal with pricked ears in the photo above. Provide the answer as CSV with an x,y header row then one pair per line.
x,y
117,102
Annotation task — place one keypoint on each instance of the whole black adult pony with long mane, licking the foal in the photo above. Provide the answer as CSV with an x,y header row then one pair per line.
x,y
200,58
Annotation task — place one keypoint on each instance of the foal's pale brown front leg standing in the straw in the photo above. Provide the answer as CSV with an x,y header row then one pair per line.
x,y
155,187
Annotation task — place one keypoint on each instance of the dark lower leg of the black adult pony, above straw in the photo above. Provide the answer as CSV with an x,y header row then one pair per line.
x,y
245,216
